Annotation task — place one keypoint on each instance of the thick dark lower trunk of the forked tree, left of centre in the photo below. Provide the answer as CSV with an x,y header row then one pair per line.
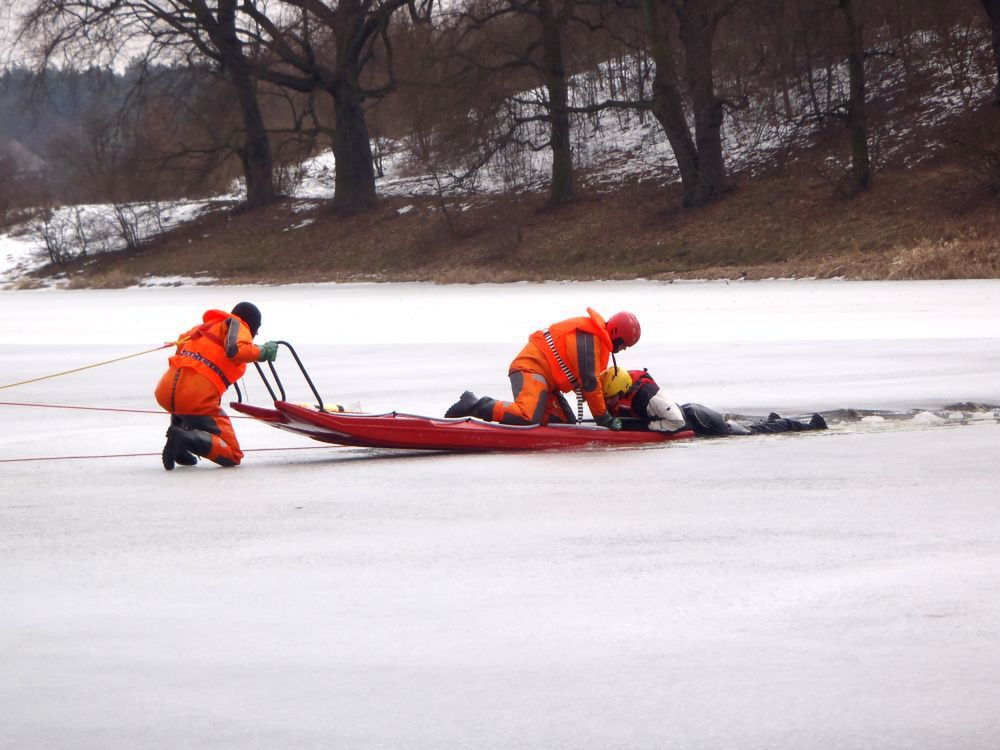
x,y
354,185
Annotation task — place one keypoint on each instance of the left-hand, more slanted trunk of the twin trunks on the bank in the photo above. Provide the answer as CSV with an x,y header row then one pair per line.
x,y
668,105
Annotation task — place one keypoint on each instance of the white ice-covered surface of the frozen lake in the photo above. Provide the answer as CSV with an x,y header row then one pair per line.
x,y
835,590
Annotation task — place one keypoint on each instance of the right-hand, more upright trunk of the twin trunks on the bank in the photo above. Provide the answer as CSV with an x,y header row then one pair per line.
x,y
697,32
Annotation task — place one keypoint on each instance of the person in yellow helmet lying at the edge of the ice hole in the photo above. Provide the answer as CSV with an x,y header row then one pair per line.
x,y
634,394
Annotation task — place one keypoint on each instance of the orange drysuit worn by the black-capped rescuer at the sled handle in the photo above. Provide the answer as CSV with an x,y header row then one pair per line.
x,y
209,358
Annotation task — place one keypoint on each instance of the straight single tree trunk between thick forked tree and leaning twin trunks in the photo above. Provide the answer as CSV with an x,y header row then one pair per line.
x,y
554,75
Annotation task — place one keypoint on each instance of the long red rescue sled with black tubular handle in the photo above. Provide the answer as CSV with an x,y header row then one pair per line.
x,y
409,431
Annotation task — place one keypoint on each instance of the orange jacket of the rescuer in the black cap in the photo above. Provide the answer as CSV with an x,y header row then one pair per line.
x,y
218,349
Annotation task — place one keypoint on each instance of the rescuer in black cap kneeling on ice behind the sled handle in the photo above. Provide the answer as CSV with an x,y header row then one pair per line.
x,y
209,358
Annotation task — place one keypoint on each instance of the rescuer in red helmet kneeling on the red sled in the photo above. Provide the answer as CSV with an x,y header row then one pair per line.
x,y
566,356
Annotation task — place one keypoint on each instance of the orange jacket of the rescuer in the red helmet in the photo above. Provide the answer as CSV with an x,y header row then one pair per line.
x,y
584,347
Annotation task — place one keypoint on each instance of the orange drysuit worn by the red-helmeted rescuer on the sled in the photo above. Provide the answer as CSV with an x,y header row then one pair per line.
x,y
537,377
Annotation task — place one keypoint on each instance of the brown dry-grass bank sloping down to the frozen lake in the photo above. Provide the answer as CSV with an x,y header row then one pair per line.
x,y
921,223
